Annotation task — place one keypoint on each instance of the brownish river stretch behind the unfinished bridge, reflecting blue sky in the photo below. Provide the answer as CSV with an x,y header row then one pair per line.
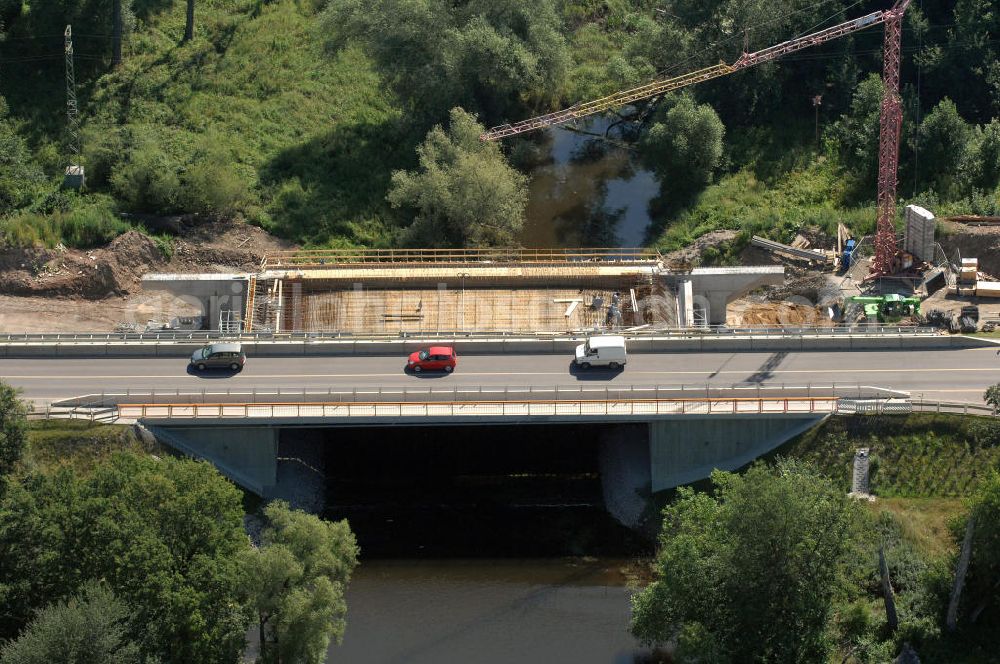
x,y
588,192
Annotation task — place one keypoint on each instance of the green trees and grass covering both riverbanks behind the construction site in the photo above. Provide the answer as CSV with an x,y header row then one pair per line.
x,y
294,115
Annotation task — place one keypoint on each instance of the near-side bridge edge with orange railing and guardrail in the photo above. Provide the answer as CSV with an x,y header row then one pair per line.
x,y
492,400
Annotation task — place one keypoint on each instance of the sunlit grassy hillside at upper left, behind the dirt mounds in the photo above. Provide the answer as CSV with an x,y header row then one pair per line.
x,y
252,118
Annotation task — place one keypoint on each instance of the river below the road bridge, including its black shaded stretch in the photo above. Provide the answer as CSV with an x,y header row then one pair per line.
x,y
480,544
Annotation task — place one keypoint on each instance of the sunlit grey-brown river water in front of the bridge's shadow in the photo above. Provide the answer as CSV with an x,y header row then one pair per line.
x,y
488,611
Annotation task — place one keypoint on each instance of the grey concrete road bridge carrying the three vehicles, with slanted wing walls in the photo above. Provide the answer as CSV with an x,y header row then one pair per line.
x,y
697,410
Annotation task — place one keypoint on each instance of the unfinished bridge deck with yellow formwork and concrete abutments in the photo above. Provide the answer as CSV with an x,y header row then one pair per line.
x,y
410,292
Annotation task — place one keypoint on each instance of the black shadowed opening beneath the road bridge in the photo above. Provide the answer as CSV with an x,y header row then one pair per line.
x,y
490,491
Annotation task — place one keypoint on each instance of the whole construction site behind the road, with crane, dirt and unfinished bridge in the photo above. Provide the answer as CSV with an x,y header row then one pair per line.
x,y
935,272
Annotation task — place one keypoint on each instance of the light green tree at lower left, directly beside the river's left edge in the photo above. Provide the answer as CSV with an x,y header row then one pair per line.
x,y
297,580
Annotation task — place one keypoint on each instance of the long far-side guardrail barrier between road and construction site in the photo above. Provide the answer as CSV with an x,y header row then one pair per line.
x,y
680,333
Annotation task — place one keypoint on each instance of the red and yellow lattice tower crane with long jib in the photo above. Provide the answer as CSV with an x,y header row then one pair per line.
x,y
891,114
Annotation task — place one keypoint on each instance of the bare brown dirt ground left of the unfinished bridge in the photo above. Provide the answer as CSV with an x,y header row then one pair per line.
x,y
69,290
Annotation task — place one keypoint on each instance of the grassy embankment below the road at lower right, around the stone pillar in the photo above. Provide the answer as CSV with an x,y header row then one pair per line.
x,y
923,468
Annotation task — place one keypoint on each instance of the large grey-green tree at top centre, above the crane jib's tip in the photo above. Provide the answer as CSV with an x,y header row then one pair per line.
x,y
494,57
